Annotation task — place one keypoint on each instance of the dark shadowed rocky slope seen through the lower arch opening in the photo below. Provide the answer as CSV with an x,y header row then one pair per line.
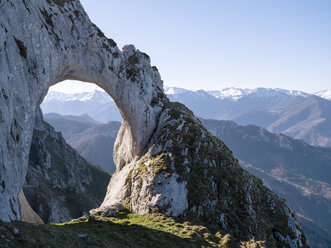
x,y
60,184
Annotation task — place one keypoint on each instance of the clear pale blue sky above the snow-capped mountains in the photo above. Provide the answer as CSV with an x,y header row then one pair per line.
x,y
215,44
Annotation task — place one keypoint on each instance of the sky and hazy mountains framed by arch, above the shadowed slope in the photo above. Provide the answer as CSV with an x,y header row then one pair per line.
x,y
88,119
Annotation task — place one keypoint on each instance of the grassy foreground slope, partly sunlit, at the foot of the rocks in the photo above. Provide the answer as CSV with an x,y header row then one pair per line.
x,y
126,230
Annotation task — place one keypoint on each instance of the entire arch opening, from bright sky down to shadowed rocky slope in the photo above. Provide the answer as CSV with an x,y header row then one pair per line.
x,y
59,176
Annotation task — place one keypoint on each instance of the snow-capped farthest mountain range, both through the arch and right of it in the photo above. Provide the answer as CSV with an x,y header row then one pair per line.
x,y
294,113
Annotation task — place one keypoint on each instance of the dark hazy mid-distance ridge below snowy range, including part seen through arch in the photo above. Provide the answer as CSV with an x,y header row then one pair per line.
x,y
296,171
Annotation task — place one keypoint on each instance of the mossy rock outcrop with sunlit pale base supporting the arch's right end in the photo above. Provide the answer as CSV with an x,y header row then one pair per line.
x,y
186,171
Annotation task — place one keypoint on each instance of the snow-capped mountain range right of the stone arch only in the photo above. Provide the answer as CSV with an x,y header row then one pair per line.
x,y
294,113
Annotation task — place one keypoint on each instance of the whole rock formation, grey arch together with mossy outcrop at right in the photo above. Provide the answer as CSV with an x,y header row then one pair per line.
x,y
166,161
